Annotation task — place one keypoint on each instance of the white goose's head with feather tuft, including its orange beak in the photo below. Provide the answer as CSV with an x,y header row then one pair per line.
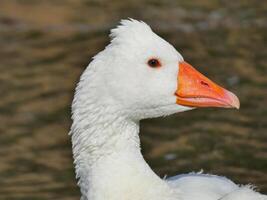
x,y
144,76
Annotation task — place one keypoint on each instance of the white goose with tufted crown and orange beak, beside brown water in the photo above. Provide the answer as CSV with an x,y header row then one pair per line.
x,y
139,75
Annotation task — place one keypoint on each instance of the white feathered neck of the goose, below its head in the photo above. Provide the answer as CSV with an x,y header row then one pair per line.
x,y
109,163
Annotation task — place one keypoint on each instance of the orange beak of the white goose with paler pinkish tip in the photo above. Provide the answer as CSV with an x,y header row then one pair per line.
x,y
196,90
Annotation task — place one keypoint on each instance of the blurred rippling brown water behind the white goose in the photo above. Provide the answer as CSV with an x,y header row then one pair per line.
x,y
44,47
